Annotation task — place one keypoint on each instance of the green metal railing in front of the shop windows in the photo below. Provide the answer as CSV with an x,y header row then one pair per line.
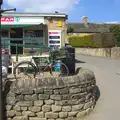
x,y
26,43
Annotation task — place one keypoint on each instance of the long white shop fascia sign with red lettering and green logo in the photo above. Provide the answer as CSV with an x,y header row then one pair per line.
x,y
22,20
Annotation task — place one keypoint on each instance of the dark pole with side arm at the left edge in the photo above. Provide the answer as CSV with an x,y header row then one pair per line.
x,y
1,86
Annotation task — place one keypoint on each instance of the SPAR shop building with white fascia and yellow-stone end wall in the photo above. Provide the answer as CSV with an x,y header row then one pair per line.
x,y
32,29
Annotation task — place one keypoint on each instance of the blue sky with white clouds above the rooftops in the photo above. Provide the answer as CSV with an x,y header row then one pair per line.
x,y
98,11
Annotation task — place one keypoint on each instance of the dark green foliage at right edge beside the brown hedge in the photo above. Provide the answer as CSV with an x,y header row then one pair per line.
x,y
115,29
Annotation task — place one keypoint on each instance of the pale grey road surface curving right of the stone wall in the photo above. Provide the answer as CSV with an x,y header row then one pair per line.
x,y
105,69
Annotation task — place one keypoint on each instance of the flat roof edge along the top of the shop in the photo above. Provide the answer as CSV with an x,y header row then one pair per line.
x,y
34,14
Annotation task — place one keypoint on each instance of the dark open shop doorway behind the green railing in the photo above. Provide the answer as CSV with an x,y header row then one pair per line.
x,y
15,35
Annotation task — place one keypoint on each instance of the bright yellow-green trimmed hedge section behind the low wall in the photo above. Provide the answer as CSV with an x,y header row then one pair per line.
x,y
82,41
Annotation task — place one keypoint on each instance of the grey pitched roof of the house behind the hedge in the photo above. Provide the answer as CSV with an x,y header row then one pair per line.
x,y
92,27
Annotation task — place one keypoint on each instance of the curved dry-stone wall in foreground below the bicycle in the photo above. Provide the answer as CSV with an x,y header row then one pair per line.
x,y
67,98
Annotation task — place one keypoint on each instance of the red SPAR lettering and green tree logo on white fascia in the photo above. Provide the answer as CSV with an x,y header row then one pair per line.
x,y
10,19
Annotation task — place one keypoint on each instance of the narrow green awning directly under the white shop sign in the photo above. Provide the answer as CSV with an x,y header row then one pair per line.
x,y
18,26
